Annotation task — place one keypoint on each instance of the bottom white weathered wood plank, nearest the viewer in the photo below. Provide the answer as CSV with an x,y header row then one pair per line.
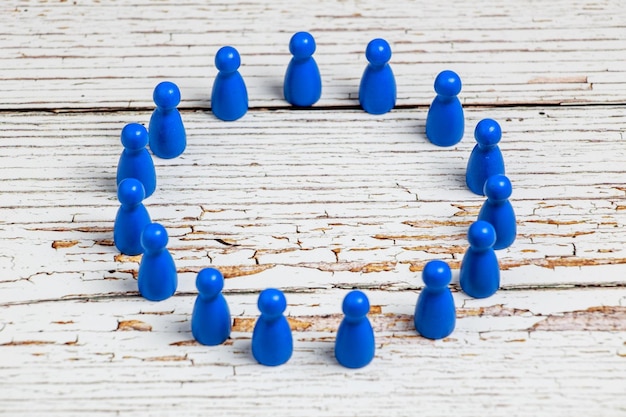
x,y
519,352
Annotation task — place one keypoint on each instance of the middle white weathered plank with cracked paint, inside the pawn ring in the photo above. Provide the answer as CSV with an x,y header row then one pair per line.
x,y
297,203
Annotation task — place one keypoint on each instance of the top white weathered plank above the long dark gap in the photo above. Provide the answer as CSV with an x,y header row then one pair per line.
x,y
91,54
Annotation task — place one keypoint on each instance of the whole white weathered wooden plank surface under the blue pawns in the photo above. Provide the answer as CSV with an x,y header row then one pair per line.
x,y
315,202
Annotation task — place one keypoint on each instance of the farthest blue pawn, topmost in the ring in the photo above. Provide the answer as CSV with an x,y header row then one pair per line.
x,y
303,83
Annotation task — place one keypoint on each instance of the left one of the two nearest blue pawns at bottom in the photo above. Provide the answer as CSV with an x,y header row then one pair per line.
x,y
272,343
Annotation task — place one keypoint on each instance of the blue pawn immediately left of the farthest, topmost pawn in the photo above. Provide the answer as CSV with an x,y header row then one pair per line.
x,y
229,98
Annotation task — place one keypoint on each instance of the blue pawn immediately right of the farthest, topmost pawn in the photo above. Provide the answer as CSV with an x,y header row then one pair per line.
x,y
377,91
